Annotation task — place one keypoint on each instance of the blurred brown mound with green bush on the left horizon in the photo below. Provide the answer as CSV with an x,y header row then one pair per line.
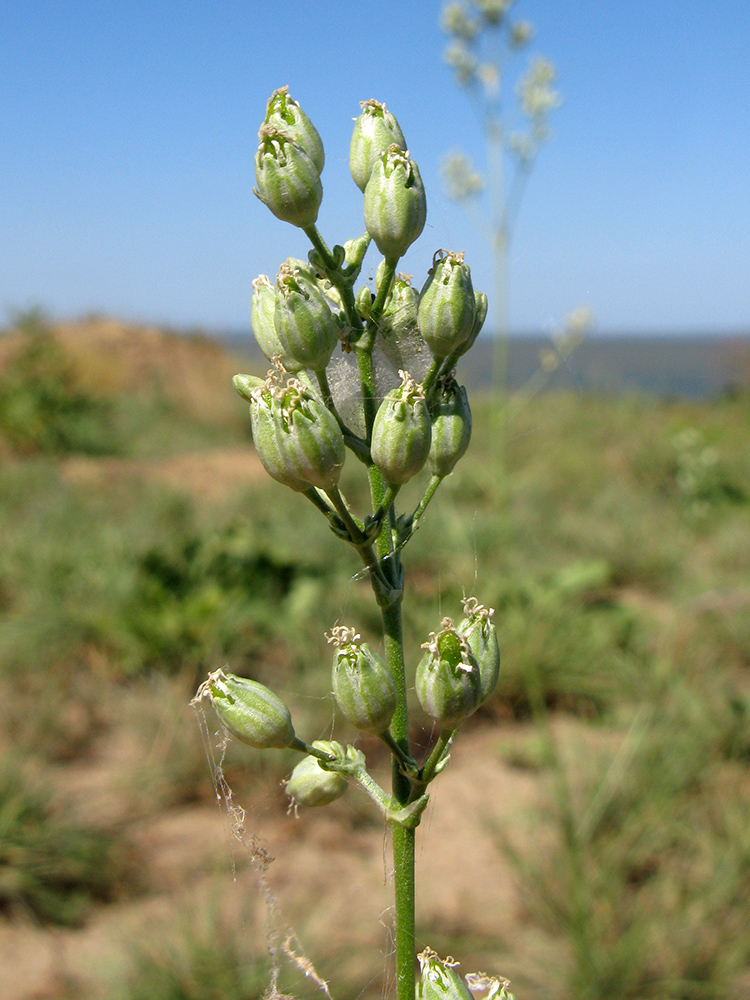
x,y
98,387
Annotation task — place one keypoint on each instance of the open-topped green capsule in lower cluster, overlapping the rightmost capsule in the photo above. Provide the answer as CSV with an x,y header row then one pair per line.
x,y
447,679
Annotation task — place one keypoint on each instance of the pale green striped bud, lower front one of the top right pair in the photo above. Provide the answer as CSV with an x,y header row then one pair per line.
x,y
395,203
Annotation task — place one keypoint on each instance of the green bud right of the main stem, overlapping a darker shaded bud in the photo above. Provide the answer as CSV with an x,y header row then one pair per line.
x,y
401,432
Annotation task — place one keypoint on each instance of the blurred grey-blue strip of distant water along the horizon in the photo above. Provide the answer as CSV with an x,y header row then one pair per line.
x,y
668,366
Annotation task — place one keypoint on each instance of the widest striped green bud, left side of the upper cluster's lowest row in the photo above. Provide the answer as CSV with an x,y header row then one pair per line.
x,y
298,440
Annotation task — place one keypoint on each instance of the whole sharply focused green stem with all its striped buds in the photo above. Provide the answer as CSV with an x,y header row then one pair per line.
x,y
403,423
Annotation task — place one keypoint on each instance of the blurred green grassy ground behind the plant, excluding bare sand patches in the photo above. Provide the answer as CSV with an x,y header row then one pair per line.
x,y
615,550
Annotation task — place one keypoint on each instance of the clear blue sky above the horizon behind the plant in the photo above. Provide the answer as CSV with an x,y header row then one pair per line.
x,y
127,133
